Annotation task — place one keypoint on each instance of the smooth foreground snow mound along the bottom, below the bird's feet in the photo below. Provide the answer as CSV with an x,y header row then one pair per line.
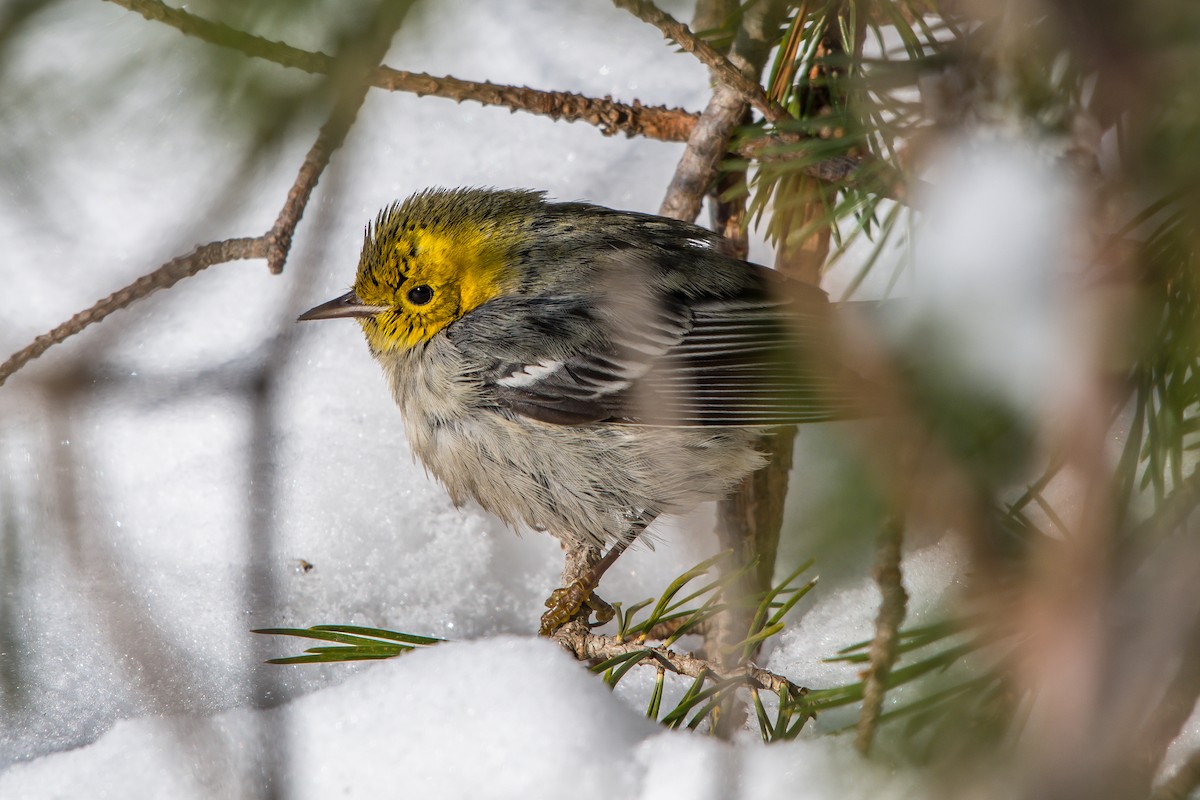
x,y
397,730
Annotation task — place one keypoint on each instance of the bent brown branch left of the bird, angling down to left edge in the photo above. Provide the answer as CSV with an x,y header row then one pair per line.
x,y
275,244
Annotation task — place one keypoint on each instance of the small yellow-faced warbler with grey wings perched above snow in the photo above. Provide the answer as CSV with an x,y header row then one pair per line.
x,y
583,370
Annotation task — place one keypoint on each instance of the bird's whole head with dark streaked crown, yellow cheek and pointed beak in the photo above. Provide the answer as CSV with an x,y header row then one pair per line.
x,y
430,261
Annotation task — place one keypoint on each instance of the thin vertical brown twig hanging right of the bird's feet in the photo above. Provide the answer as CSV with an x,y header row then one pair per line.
x,y
887,631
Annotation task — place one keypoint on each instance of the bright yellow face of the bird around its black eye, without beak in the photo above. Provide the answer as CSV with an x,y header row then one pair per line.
x,y
427,272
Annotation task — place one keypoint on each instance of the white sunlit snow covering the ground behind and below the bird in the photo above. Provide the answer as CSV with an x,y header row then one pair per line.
x,y
158,502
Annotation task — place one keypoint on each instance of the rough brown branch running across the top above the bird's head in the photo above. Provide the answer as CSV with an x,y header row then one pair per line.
x,y
608,116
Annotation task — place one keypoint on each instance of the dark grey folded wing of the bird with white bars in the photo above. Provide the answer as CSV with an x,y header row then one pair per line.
x,y
742,360
